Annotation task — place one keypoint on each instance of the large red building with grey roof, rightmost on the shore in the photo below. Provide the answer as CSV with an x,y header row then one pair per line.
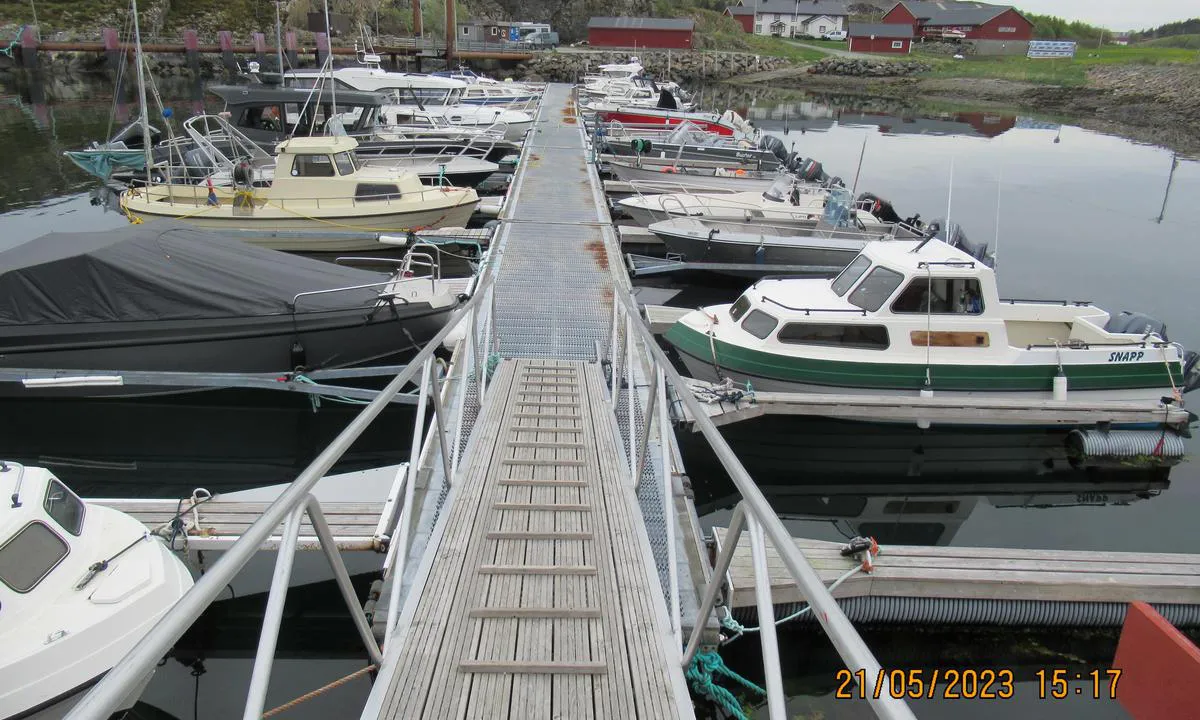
x,y
962,21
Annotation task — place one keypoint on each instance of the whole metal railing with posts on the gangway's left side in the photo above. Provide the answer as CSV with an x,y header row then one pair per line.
x,y
297,502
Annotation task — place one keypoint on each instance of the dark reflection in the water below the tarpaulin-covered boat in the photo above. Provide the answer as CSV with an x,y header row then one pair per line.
x,y
221,441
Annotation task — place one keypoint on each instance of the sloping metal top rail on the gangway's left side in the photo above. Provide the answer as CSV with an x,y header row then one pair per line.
x,y
107,695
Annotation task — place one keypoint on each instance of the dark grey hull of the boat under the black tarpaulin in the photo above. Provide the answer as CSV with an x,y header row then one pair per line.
x,y
254,345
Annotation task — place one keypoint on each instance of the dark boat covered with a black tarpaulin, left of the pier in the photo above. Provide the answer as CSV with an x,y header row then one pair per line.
x,y
165,297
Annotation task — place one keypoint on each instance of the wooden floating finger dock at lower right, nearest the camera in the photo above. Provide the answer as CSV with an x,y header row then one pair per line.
x,y
981,573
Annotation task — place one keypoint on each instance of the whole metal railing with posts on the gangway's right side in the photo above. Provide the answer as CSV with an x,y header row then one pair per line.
x,y
638,363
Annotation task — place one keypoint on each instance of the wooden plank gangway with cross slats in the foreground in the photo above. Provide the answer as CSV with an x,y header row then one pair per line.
x,y
541,599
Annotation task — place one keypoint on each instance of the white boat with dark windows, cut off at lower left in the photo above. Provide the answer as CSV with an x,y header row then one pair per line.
x,y
81,585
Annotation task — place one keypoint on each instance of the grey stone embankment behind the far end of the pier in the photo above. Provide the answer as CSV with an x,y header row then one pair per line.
x,y
682,67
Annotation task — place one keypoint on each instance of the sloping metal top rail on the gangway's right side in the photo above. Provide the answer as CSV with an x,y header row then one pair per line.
x,y
850,646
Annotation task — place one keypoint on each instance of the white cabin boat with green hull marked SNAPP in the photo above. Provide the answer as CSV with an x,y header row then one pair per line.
x,y
919,317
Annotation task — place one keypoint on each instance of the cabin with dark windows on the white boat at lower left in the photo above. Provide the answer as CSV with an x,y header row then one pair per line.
x,y
41,523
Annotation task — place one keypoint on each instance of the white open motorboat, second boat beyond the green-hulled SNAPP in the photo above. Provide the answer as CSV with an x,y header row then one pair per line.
x,y
790,202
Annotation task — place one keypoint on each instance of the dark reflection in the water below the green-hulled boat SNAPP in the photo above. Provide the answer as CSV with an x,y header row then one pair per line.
x,y
899,484
